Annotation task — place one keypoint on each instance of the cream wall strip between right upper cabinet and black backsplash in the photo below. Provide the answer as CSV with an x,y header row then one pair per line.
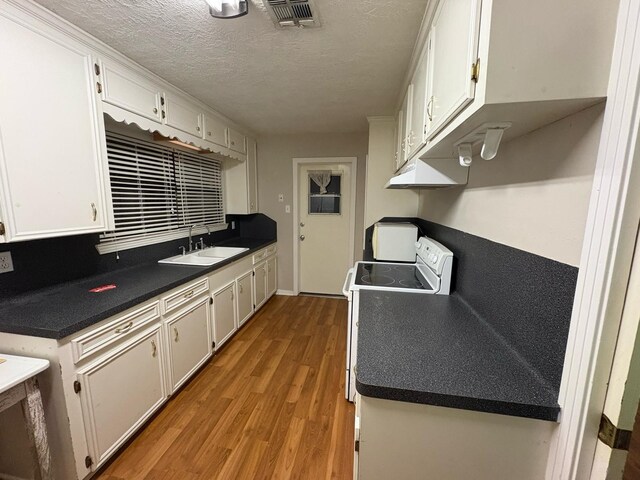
x,y
534,195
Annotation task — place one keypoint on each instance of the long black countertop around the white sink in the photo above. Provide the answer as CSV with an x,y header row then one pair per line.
x,y
59,311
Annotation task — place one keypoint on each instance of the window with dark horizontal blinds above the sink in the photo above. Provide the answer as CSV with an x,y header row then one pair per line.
x,y
158,192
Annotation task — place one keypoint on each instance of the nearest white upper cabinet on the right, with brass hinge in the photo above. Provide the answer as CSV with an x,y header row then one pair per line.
x,y
486,70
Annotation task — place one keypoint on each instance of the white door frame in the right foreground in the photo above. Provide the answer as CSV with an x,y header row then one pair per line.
x,y
605,264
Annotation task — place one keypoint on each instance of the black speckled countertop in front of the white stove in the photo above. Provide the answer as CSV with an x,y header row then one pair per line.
x,y
434,349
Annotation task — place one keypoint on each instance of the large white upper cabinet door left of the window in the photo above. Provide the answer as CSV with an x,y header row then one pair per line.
x,y
52,147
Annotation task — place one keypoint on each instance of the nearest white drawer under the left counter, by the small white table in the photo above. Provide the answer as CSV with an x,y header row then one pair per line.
x,y
101,338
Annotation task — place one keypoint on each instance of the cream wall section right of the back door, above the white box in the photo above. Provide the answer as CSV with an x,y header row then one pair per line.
x,y
380,201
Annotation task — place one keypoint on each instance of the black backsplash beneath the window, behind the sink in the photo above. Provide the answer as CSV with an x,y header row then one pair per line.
x,y
43,263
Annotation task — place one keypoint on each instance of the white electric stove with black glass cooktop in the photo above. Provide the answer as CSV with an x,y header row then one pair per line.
x,y
431,274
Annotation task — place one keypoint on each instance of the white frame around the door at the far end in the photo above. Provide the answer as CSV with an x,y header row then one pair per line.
x,y
299,162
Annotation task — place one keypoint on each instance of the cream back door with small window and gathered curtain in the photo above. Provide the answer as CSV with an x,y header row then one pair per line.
x,y
324,239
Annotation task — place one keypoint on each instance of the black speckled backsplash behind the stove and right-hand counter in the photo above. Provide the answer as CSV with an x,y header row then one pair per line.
x,y
524,298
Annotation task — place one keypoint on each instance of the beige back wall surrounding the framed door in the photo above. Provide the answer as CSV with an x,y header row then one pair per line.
x,y
275,176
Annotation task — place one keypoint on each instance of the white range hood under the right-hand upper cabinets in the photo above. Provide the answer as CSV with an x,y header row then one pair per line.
x,y
430,173
